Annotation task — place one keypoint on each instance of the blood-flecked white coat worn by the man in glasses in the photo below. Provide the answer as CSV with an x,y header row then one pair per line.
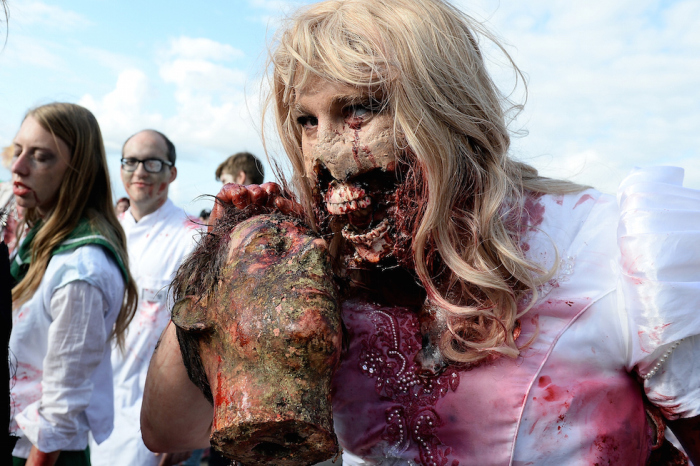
x,y
157,245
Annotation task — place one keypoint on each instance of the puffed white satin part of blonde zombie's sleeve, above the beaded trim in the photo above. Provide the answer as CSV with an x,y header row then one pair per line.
x,y
658,237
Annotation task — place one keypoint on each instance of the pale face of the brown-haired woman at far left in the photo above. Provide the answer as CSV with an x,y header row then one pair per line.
x,y
40,162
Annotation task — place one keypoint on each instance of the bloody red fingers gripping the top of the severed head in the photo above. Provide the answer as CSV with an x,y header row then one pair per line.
x,y
265,195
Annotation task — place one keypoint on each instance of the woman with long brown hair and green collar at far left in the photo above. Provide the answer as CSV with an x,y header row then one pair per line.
x,y
73,290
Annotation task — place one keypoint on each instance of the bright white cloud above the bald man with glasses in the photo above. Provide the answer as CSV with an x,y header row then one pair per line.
x,y
211,108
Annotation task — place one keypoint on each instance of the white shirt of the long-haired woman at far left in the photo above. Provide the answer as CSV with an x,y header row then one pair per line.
x,y
62,387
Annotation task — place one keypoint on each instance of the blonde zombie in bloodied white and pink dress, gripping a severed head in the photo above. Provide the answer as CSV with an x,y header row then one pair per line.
x,y
491,315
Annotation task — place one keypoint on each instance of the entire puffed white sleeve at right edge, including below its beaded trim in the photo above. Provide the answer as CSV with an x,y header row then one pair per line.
x,y
659,240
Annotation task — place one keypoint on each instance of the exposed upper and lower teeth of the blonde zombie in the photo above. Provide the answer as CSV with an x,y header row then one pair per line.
x,y
345,199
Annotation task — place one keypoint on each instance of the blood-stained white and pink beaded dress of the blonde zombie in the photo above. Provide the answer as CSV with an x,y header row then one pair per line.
x,y
626,292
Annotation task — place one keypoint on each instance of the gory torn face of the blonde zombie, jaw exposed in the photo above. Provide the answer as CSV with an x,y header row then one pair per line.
x,y
350,158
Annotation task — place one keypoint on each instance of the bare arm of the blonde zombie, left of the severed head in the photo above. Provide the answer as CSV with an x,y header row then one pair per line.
x,y
175,415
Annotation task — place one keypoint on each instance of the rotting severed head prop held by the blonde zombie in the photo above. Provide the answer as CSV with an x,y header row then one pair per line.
x,y
268,341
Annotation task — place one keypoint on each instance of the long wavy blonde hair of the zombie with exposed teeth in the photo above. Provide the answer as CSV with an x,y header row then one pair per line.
x,y
450,122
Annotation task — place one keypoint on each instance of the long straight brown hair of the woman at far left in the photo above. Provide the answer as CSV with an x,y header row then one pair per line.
x,y
85,192
